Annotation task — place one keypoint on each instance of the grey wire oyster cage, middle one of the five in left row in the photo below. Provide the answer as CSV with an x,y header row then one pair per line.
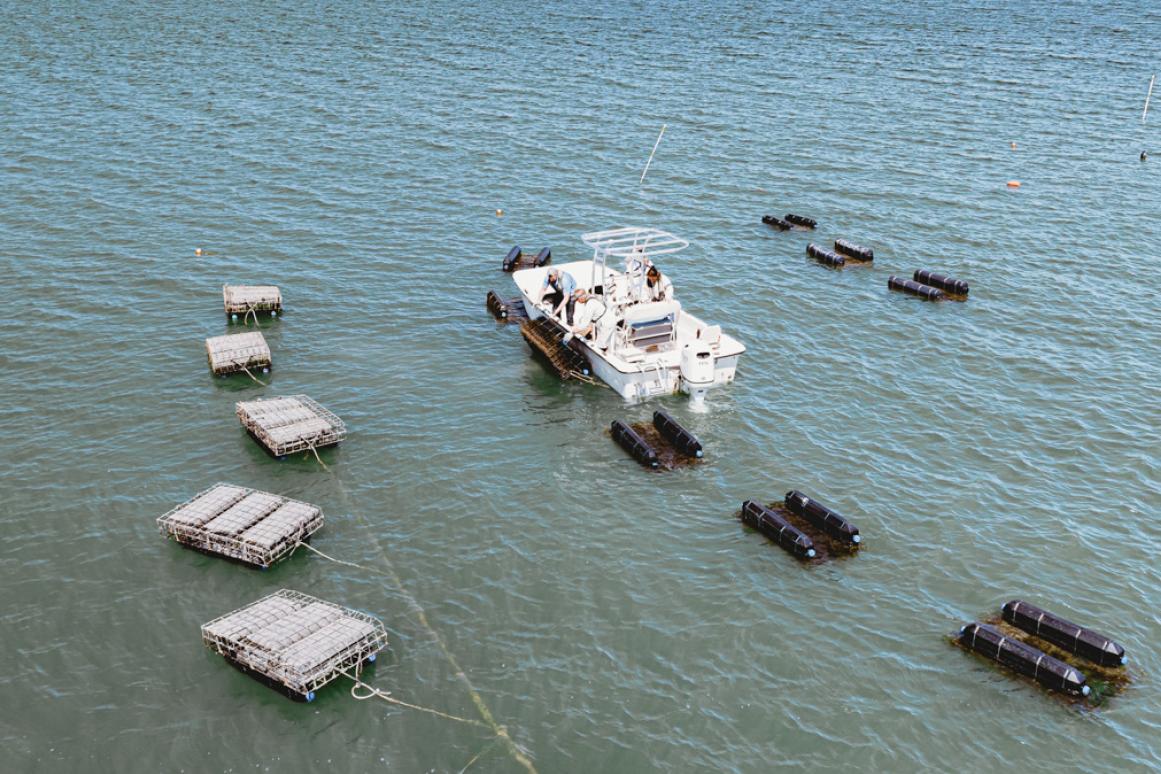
x,y
291,424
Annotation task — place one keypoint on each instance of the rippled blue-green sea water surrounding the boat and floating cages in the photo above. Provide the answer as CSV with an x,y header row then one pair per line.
x,y
615,621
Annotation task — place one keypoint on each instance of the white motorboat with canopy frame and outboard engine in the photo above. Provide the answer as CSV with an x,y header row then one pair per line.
x,y
641,346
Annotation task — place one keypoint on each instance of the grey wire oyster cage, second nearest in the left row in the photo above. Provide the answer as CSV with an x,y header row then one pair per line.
x,y
254,527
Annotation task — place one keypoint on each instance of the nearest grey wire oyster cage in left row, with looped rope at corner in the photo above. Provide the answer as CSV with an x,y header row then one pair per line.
x,y
294,642
